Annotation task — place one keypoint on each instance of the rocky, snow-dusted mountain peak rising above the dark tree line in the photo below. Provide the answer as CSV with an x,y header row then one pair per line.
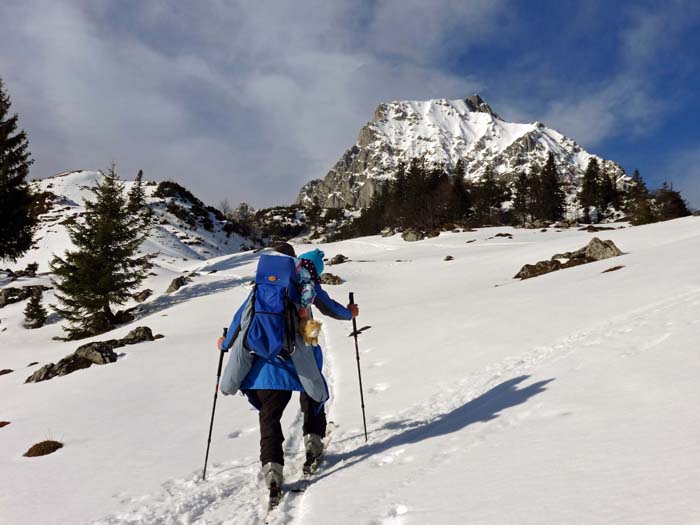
x,y
444,131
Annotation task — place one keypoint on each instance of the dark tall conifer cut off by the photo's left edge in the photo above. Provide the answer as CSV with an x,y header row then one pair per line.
x,y
16,220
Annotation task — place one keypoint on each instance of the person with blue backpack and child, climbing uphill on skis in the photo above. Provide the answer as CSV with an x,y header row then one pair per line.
x,y
268,382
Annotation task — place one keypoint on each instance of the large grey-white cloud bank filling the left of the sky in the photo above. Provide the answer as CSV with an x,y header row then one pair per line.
x,y
256,98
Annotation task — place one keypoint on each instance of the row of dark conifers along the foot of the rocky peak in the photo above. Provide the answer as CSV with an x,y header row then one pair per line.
x,y
425,197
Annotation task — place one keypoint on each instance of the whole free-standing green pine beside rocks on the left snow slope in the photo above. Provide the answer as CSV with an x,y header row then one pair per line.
x,y
104,268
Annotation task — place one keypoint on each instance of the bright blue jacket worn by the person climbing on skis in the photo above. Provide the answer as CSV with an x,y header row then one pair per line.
x,y
279,373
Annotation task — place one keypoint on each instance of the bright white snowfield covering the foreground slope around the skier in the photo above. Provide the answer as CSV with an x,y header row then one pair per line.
x,y
565,398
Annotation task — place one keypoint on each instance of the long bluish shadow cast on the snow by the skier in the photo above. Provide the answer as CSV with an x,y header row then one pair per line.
x,y
484,408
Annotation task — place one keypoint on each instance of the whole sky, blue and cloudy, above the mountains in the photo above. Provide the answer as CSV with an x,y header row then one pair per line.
x,y
248,100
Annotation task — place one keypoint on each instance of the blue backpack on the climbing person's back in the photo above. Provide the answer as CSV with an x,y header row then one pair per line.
x,y
270,326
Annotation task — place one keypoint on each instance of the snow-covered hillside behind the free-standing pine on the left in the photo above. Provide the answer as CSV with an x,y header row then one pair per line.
x,y
171,237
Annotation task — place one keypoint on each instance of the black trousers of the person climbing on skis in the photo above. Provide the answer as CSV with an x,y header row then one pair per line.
x,y
272,404
